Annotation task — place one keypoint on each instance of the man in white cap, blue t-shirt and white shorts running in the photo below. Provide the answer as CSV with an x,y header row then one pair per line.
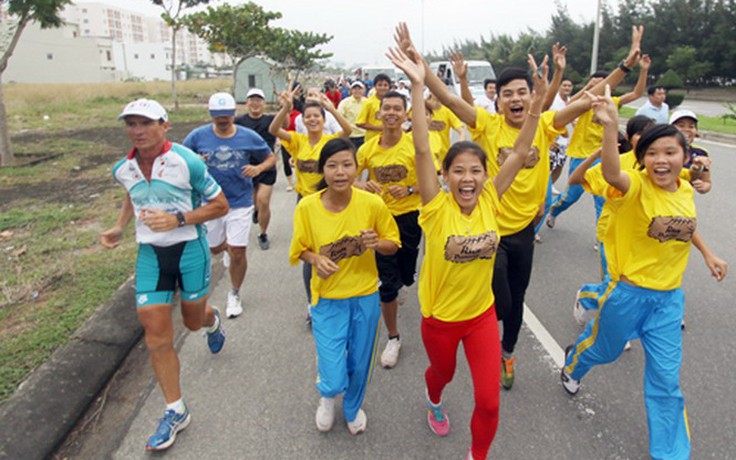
x,y
234,155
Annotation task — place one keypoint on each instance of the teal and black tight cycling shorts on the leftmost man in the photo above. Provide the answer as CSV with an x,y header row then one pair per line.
x,y
161,269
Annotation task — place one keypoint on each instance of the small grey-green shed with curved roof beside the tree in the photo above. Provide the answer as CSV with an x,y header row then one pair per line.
x,y
259,72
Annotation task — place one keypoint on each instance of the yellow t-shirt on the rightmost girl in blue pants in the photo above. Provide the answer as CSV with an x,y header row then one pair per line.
x,y
650,237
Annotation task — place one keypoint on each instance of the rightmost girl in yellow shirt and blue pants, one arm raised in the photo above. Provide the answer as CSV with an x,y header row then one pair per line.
x,y
648,244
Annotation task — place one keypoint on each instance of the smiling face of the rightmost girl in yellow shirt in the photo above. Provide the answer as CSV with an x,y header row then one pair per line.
x,y
663,160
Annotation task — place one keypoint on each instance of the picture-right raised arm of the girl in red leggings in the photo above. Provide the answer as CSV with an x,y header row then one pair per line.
x,y
514,162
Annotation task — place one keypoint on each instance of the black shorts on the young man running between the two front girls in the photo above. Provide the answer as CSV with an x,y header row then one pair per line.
x,y
400,269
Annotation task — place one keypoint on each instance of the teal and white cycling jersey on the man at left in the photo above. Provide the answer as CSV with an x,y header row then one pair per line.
x,y
179,181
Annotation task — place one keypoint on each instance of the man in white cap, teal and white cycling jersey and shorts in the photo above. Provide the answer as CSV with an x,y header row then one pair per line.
x,y
171,247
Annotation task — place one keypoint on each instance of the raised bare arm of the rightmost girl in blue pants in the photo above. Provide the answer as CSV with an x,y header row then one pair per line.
x,y
607,113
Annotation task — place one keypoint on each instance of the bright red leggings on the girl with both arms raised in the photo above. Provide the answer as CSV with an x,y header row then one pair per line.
x,y
483,352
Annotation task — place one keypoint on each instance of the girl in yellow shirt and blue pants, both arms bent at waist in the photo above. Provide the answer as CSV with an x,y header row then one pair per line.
x,y
336,231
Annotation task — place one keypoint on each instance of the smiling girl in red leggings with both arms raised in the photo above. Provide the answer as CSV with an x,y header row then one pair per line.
x,y
462,235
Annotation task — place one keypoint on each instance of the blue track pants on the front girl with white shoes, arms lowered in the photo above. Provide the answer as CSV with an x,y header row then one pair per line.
x,y
345,336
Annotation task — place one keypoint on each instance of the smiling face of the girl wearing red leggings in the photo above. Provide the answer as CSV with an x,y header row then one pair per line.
x,y
465,178
